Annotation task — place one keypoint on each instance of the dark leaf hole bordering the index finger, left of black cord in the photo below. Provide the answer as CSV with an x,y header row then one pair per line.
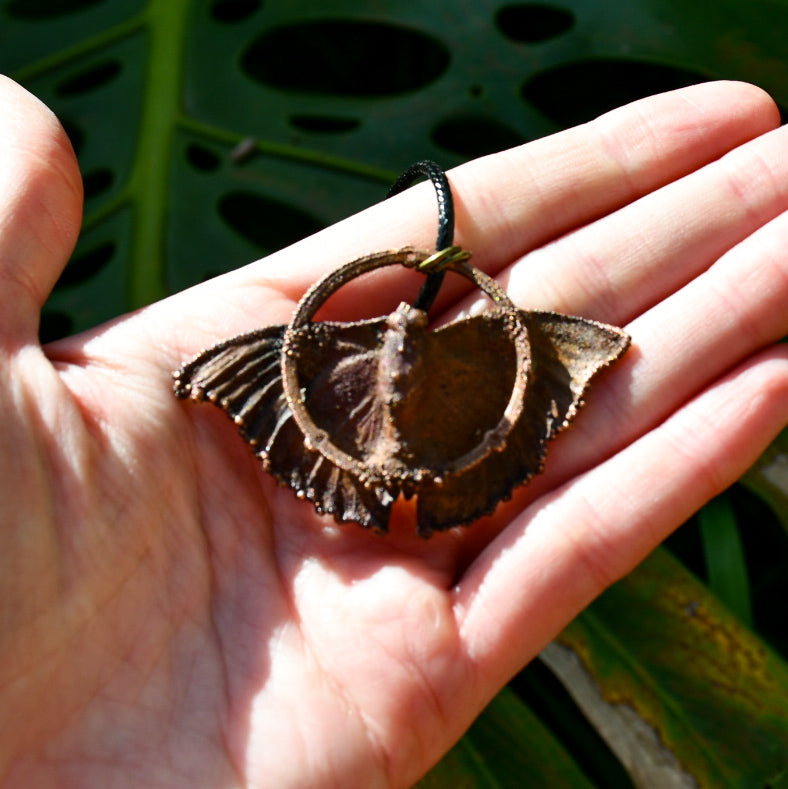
x,y
268,224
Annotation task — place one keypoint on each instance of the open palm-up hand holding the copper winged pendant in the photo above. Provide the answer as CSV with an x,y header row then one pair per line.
x,y
169,617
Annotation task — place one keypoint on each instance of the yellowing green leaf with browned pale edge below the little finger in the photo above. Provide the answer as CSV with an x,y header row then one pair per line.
x,y
705,699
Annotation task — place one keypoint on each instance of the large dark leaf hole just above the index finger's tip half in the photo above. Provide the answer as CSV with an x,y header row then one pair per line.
x,y
581,91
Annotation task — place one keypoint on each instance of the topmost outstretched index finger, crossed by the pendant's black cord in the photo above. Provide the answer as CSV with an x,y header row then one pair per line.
x,y
508,203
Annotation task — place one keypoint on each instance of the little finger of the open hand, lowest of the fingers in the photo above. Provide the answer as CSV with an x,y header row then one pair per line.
x,y
564,550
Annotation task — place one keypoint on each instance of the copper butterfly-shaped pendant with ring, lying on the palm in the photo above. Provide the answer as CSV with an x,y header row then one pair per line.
x,y
351,415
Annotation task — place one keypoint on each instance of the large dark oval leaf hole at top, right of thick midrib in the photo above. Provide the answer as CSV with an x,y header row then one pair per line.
x,y
345,58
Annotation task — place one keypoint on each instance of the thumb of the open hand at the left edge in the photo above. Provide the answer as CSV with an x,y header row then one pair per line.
x,y
40,209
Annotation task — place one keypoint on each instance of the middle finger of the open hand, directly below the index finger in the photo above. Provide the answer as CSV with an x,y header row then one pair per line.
x,y
629,260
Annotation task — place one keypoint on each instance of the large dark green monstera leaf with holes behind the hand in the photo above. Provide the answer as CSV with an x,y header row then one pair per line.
x,y
334,100
